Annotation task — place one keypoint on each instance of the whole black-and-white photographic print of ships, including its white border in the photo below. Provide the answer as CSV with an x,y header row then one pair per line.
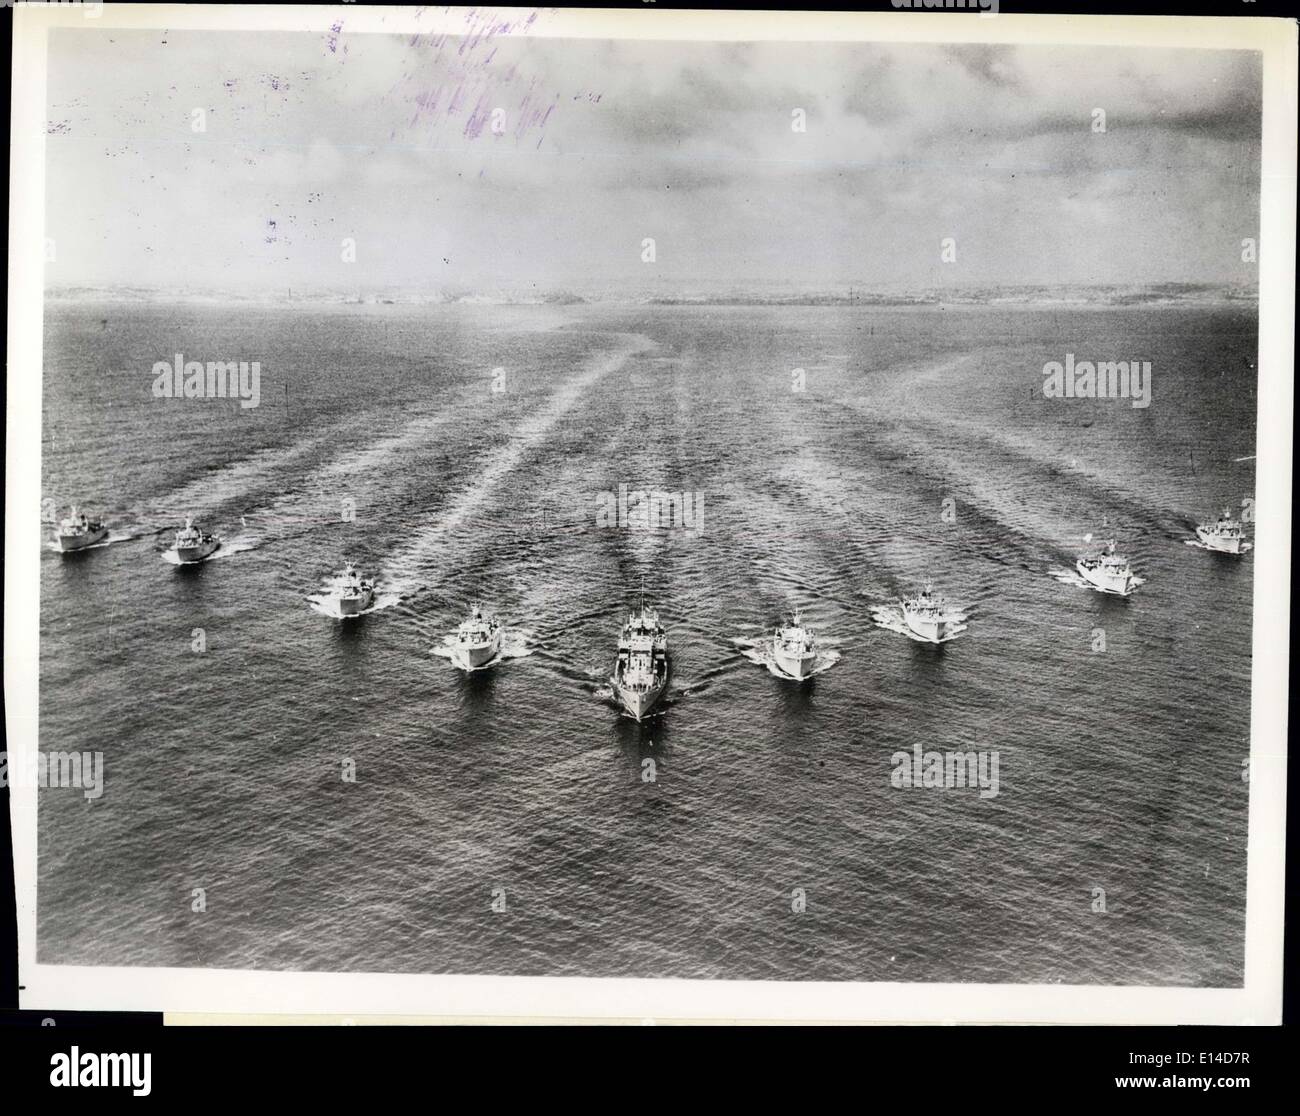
x,y
521,498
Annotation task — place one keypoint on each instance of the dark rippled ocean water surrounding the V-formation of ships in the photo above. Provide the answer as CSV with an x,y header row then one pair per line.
x,y
1119,769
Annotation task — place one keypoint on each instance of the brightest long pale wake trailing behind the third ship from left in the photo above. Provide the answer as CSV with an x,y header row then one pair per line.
x,y
406,570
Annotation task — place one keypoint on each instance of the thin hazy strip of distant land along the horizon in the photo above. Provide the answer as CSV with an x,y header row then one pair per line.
x,y
1072,295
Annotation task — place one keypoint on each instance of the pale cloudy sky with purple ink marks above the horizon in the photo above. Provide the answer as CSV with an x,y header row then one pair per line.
x,y
388,141
